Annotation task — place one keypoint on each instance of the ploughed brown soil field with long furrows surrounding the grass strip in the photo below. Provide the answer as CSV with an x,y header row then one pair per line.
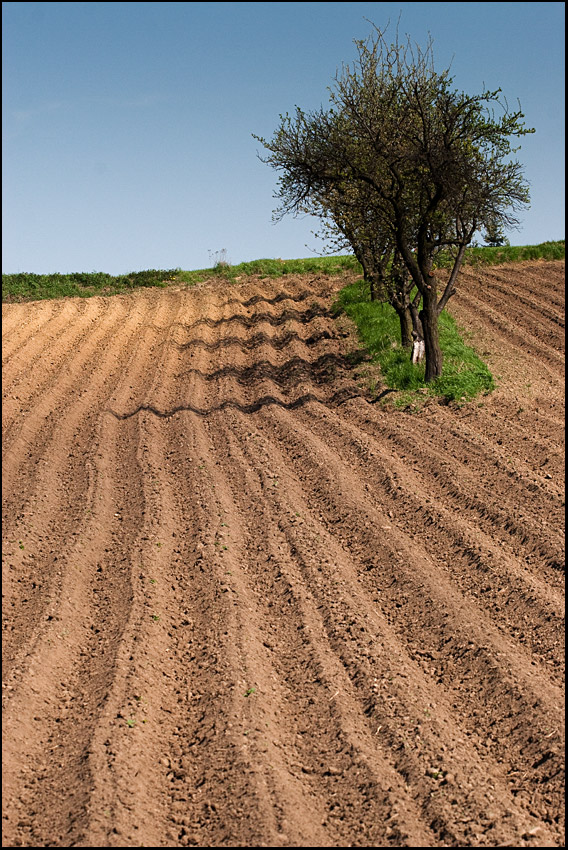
x,y
244,605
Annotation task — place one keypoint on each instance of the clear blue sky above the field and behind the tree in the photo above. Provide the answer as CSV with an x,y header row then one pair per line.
x,y
127,126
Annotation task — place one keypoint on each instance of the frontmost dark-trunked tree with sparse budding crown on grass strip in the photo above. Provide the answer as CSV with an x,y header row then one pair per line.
x,y
427,163
